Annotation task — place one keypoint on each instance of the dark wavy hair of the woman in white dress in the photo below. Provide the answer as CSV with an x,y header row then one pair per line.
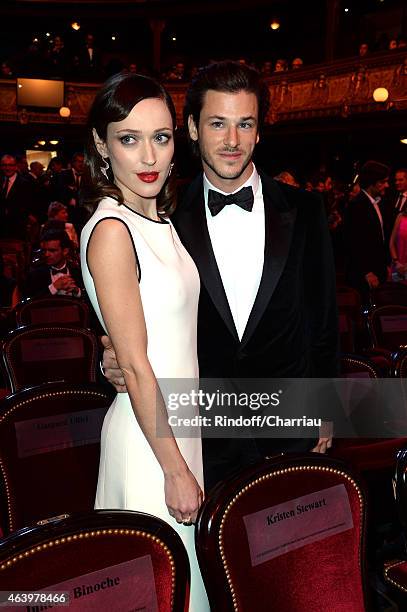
x,y
114,102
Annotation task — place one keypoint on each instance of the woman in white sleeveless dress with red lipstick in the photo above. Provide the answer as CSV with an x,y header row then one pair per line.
x,y
144,288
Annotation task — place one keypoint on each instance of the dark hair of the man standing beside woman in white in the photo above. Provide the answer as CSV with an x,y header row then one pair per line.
x,y
228,77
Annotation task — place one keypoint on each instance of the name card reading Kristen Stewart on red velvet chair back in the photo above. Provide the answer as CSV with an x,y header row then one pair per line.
x,y
295,523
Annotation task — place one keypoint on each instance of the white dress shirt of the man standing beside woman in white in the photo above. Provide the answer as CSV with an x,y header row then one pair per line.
x,y
238,238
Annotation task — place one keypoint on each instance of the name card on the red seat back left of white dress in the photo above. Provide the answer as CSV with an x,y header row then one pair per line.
x,y
52,433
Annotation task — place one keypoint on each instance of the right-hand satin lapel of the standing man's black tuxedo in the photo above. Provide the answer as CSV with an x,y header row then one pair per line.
x,y
279,224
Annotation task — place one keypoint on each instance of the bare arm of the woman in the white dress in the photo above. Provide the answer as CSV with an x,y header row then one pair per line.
x,y
113,266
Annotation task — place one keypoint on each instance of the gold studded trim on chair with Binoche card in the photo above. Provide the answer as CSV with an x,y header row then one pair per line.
x,y
95,534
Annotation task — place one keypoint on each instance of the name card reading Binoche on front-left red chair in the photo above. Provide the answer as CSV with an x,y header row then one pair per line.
x,y
128,586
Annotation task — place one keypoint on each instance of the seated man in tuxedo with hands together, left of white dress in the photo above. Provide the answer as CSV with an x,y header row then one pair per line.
x,y
55,276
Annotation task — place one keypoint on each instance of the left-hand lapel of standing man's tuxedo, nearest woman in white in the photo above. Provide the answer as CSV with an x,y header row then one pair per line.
x,y
192,227
